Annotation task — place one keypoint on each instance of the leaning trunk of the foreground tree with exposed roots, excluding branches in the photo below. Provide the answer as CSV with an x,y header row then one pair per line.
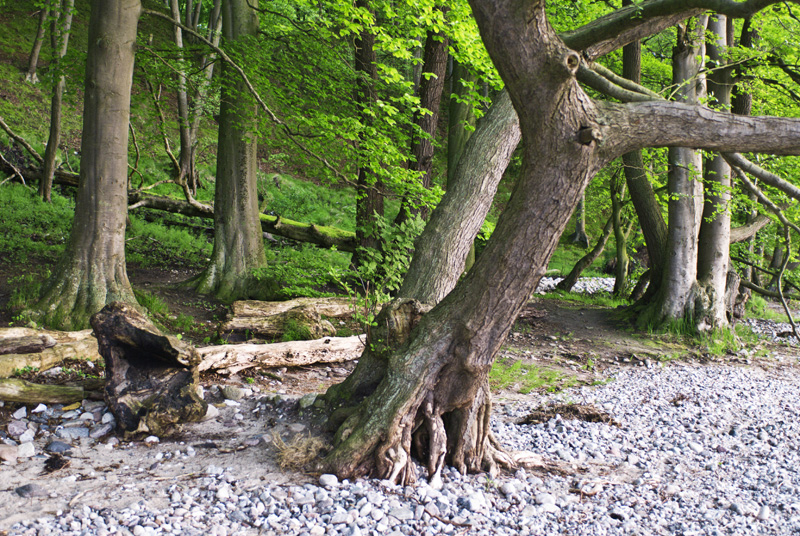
x,y
434,397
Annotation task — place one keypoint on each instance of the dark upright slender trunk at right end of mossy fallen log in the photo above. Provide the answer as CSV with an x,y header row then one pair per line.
x,y
369,200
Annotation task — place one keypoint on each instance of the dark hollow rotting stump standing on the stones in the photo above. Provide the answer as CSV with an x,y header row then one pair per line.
x,y
151,378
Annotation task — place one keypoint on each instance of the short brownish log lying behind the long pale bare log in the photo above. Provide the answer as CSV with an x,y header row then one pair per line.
x,y
271,319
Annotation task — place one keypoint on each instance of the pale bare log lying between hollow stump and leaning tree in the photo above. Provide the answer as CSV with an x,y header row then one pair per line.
x,y
231,358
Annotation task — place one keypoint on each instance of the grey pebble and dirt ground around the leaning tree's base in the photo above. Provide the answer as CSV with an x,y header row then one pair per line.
x,y
687,443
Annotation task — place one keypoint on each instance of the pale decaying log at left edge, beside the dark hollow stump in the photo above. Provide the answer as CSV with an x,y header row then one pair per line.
x,y
68,345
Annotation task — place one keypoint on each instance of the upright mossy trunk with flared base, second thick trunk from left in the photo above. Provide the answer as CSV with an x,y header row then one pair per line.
x,y
238,243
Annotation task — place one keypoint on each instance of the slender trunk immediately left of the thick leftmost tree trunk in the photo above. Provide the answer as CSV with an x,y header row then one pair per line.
x,y
61,30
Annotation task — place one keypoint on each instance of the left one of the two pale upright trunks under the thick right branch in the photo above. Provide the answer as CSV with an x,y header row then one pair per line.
x,y
675,299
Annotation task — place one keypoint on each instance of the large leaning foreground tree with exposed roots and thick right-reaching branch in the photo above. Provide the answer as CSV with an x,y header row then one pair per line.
x,y
433,398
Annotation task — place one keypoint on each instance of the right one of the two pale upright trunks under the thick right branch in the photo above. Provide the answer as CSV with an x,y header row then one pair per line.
x,y
715,229
